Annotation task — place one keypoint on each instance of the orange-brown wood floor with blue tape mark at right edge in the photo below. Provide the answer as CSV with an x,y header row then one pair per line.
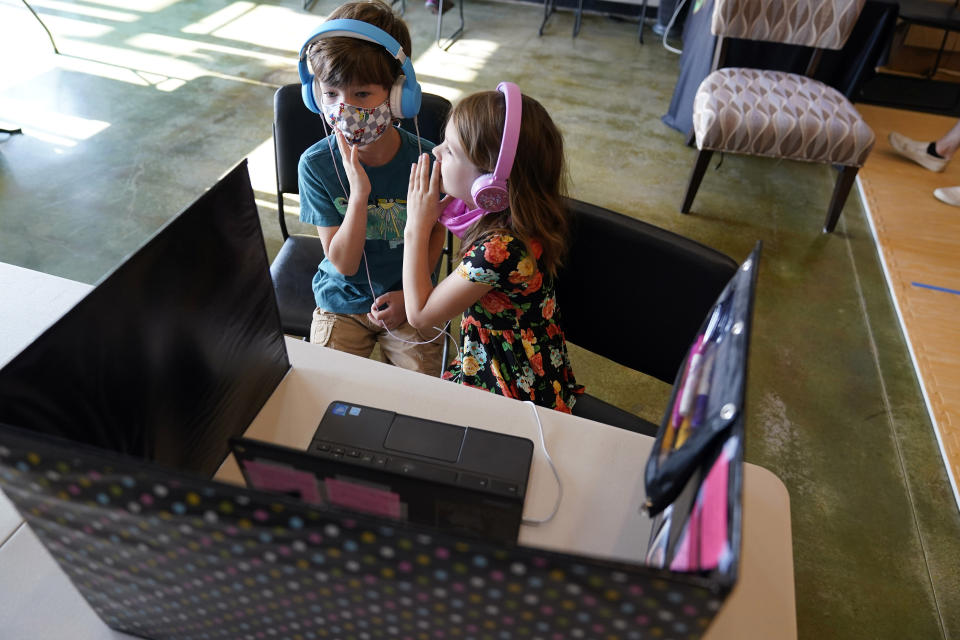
x,y
918,238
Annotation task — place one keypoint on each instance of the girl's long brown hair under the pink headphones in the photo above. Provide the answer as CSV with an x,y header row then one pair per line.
x,y
537,181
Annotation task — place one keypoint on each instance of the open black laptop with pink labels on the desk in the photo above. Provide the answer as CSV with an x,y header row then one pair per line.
x,y
461,479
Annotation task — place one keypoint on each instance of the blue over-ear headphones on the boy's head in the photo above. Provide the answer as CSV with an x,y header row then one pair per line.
x,y
405,93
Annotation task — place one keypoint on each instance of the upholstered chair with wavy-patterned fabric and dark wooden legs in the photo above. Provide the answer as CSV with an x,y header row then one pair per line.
x,y
777,114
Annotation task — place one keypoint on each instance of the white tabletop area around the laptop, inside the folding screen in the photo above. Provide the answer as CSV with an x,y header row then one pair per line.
x,y
601,472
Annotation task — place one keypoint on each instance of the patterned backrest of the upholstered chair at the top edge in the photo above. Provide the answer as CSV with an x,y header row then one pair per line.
x,y
824,24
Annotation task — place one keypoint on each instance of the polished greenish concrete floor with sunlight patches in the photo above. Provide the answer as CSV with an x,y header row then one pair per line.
x,y
154,99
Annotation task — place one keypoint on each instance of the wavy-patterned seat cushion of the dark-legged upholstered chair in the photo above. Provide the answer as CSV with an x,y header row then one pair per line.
x,y
780,115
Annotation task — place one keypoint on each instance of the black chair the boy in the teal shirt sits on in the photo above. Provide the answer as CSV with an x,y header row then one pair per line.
x,y
295,128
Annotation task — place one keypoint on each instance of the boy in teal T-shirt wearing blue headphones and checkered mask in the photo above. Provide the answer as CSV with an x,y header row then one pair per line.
x,y
356,73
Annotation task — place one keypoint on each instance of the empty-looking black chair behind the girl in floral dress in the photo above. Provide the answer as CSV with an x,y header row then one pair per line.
x,y
655,285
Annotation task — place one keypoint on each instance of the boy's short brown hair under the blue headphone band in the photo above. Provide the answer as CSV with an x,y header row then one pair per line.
x,y
343,61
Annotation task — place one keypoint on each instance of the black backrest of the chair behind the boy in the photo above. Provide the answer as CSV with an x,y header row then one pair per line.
x,y
296,128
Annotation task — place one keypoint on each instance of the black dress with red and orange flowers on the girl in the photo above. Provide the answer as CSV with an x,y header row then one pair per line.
x,y
512,343
